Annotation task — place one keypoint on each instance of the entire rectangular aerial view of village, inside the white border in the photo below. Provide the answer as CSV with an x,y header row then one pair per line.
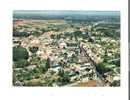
x,y
66,48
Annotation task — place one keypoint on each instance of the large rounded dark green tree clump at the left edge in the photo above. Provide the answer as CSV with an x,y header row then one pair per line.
x,y
20,53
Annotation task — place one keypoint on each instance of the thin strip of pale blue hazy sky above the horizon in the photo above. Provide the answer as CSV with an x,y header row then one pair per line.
x,y
66,12
